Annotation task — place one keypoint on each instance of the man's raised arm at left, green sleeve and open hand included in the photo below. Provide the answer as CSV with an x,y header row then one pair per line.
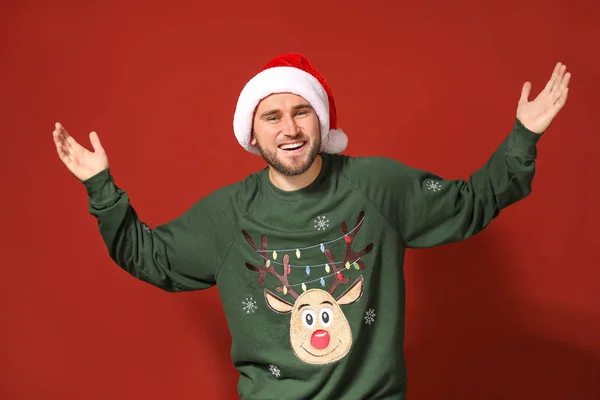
x,y
167,256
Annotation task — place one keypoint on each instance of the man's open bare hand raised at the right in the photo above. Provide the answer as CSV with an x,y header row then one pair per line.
x,y
538,114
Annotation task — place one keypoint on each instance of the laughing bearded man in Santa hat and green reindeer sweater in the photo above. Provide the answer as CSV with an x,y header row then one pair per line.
x,y
308,253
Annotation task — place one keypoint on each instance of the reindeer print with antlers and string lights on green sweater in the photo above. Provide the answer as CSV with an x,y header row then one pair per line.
x,y
319,330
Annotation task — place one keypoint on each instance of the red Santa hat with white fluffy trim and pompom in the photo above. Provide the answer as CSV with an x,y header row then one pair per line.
x,y
289,73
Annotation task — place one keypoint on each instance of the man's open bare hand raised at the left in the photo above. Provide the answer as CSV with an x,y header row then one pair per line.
x,y
80,161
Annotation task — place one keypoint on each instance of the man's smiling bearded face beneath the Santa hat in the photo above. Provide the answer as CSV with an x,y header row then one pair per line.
x,y
287,133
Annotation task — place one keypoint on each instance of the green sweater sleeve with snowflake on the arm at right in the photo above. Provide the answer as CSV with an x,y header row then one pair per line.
x,y
435,211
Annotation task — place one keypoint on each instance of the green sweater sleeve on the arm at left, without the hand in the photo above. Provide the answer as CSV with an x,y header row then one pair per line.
x,y
167,256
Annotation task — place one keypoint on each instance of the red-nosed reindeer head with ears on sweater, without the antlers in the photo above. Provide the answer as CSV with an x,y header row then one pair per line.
x,y
319,330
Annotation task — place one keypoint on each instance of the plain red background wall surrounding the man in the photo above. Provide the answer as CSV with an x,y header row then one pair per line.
x,y
512,313
